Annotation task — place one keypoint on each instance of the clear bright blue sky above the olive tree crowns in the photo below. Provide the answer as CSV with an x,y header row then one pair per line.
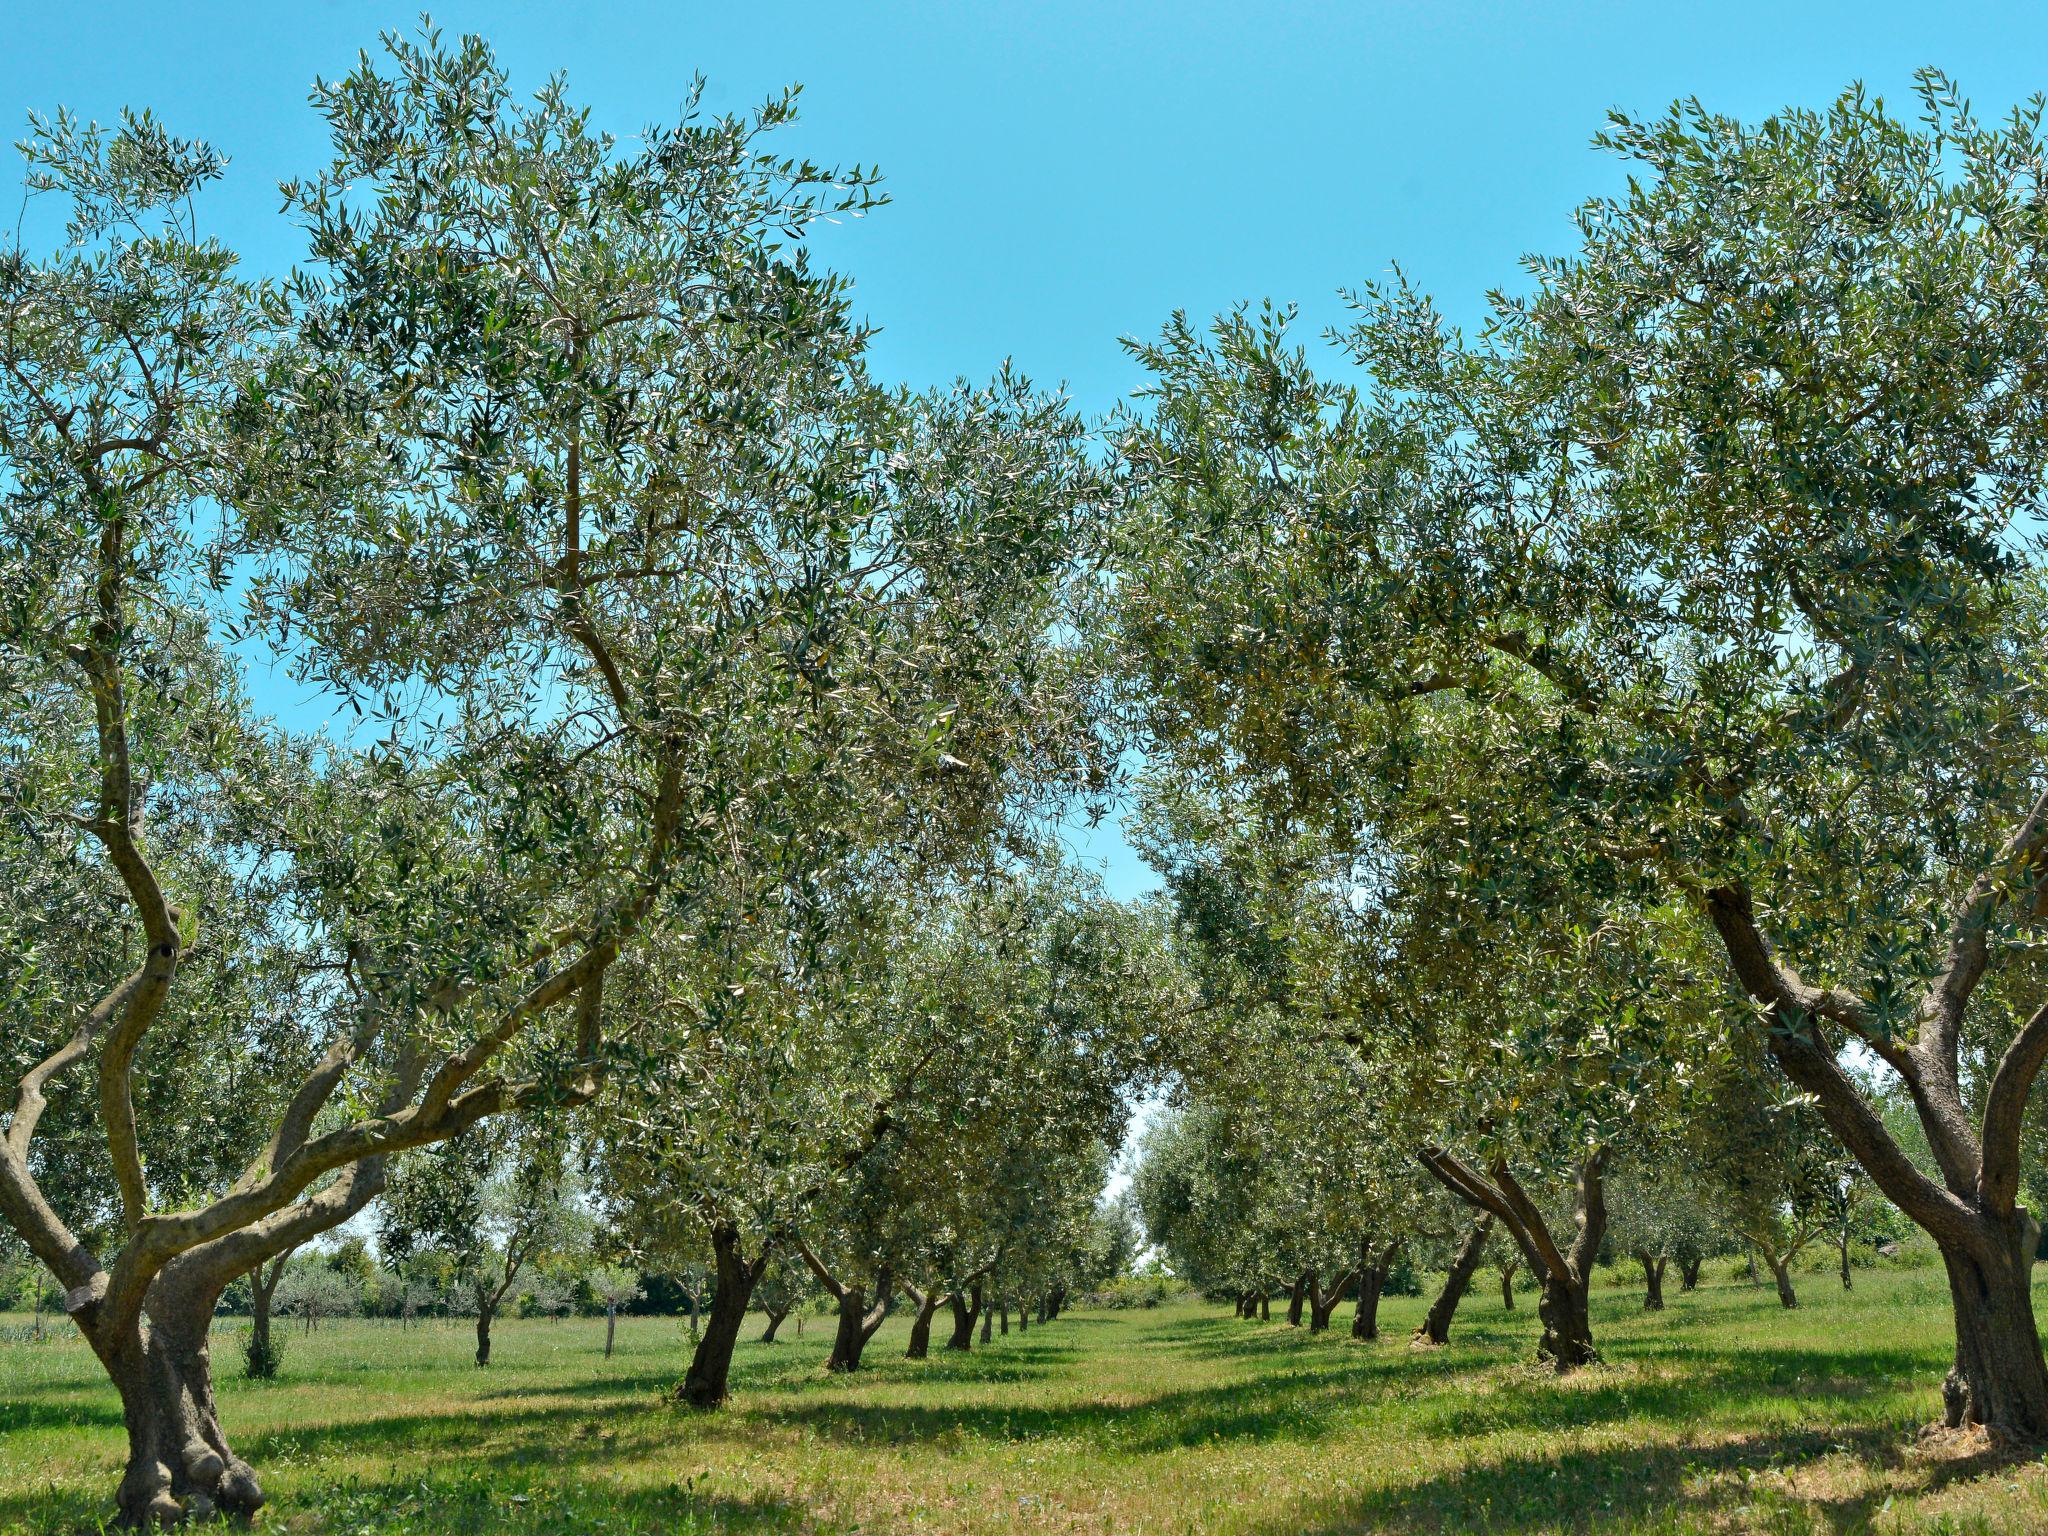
x,y
1072,171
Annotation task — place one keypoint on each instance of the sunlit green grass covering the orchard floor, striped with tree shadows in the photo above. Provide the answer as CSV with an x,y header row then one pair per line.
x,y
1723,1414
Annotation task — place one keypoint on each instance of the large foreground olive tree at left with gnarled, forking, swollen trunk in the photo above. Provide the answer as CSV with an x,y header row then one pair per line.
x,y
658,638
